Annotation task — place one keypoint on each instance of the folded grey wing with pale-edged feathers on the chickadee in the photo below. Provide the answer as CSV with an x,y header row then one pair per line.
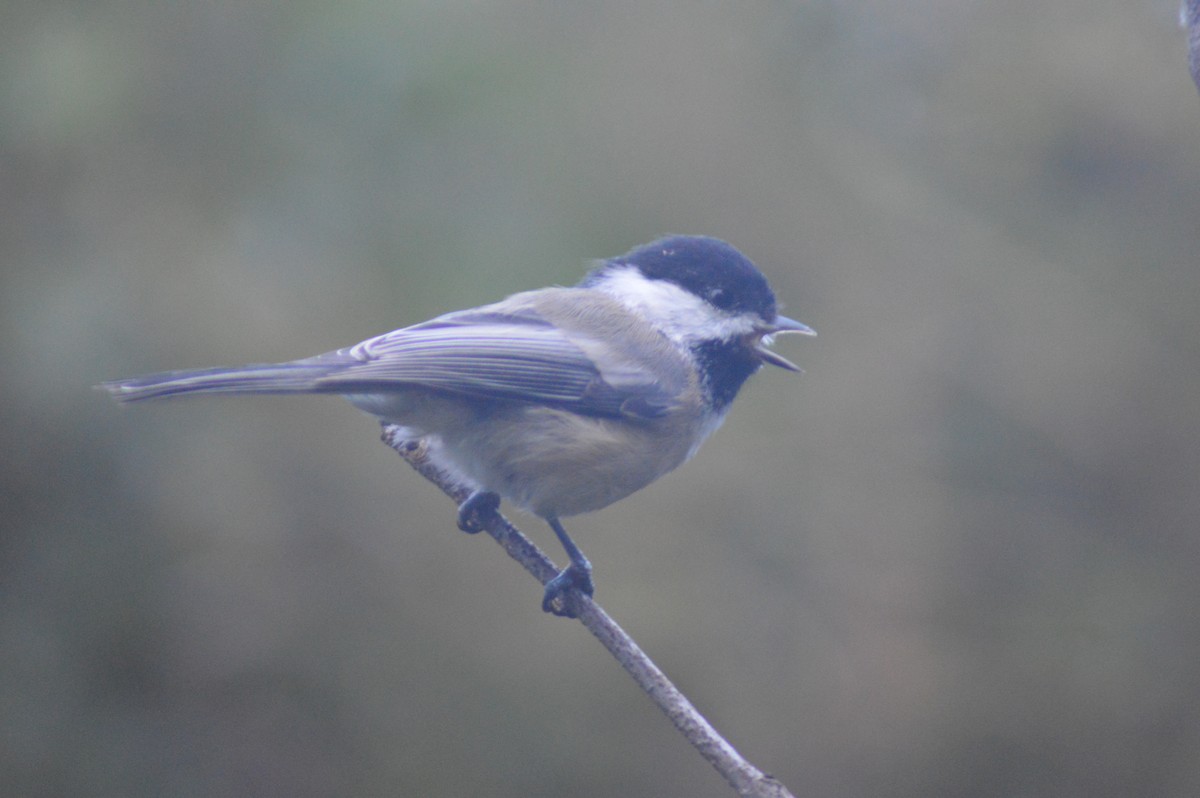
x,y
513,356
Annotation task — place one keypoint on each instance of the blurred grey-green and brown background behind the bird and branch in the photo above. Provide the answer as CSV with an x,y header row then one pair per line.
x,y
958,557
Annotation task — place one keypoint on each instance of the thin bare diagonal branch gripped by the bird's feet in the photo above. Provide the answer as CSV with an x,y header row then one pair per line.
x,y
745,778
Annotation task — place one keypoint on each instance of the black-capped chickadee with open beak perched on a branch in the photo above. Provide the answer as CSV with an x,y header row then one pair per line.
x,y
560,400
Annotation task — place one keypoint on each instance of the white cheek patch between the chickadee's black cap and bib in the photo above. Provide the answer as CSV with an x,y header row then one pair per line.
x,y
680,314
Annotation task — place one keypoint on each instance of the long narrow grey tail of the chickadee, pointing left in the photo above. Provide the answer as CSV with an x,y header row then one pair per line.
x,y
297,377
